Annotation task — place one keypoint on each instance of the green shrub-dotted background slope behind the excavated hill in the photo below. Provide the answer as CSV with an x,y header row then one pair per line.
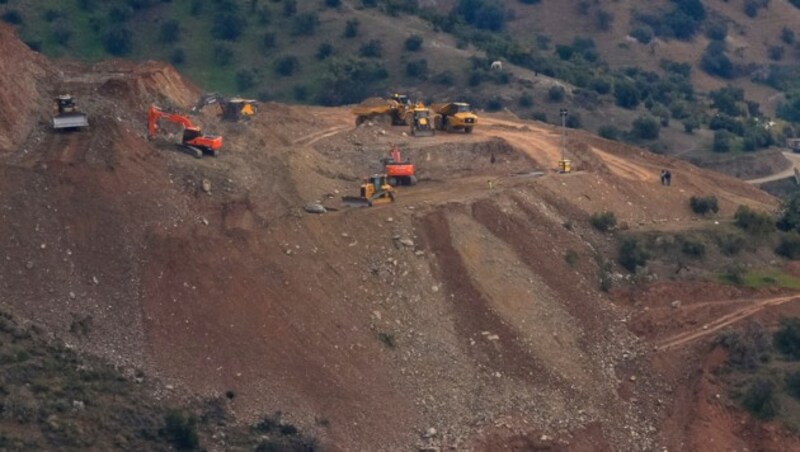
x,y
687,73
